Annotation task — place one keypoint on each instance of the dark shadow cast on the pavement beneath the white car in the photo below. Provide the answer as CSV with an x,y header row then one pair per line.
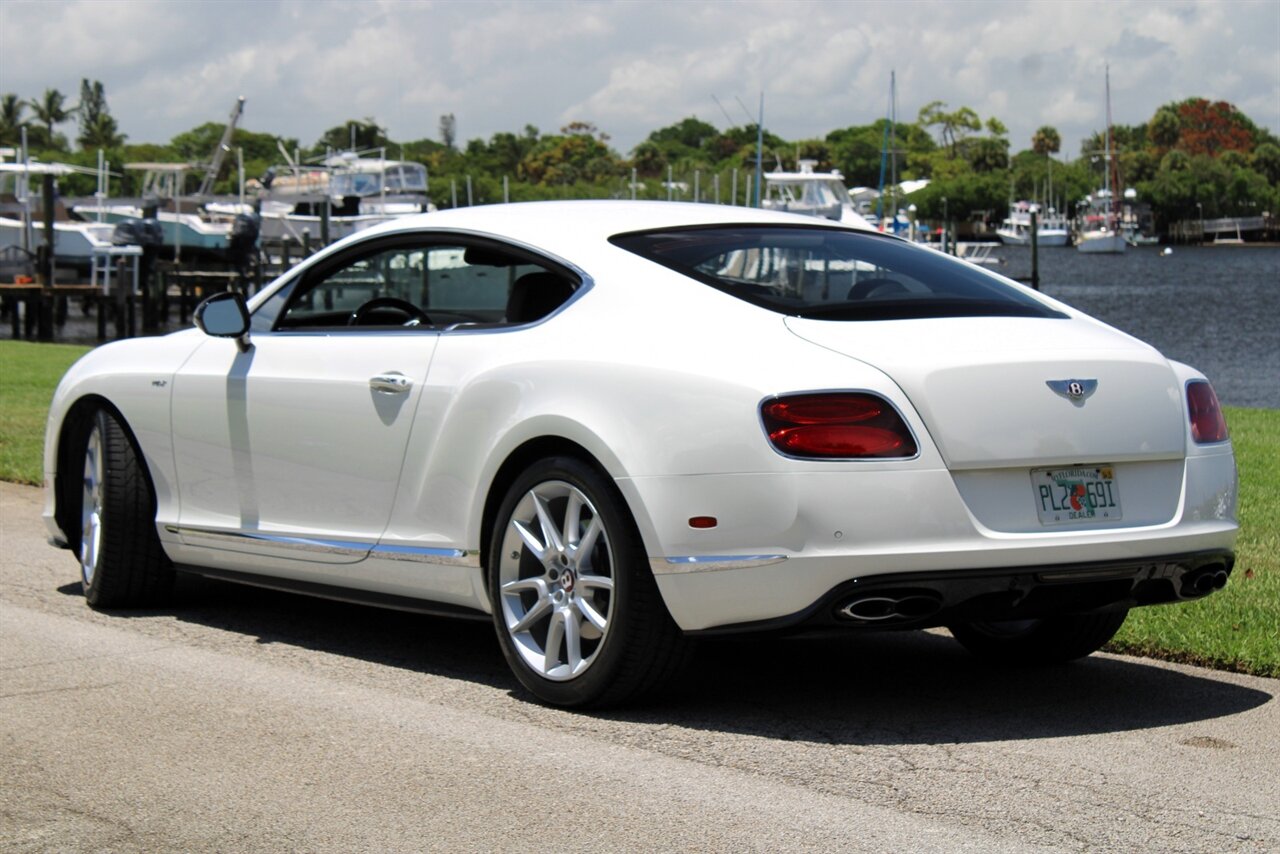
x,y
871,688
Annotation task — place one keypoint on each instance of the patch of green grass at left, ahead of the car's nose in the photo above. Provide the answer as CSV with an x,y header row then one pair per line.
x,y
29,375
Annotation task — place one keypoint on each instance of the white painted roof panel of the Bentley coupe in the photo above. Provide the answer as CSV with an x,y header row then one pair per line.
x,y
564,225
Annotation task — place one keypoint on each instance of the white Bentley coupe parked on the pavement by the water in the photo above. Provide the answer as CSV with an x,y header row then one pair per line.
x,y
614,427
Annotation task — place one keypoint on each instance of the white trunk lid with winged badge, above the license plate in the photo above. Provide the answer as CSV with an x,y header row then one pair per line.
x,y
982,386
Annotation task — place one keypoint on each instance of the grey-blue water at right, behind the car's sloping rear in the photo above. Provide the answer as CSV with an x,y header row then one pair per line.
x,y
1217,309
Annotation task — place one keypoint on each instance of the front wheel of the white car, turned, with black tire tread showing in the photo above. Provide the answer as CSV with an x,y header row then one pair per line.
x,y
122,561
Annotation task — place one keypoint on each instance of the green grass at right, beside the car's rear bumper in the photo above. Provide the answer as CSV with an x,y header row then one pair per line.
x,y
1240,628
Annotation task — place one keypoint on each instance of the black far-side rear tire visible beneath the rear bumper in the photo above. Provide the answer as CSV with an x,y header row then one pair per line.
x,y
1040,642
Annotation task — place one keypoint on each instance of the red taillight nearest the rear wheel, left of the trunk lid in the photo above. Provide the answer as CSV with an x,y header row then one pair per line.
x,y
836,427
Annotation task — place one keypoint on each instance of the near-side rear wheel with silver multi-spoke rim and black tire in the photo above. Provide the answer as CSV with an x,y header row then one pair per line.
x,y
600,592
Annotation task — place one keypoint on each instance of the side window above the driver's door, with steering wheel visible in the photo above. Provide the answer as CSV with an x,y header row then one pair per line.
x,y
423,284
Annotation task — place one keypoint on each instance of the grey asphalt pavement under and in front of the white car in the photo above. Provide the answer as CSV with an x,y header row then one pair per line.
x,y
245,720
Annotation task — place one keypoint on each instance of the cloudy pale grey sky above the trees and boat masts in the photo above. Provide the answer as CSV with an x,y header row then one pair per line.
x,y
632,67
